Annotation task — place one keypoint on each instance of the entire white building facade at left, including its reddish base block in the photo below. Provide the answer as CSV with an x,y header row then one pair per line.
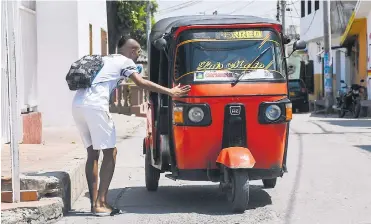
x,y
49,36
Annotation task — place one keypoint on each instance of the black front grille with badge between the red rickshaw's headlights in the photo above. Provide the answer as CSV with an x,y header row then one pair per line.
x,y
234,131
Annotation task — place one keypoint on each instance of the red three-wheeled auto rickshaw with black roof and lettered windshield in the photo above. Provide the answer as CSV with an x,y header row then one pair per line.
x,y
233,126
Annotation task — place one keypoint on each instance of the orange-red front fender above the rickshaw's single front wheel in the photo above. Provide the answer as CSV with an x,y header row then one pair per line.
x,y
236,158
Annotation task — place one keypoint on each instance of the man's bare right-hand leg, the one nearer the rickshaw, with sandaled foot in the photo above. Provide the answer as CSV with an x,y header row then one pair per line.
x,y
106,174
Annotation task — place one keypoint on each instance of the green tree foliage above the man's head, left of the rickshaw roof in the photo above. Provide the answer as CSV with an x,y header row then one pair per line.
x,y
132,18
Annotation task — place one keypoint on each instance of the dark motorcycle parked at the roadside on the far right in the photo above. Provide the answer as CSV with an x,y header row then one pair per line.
x,y
350,101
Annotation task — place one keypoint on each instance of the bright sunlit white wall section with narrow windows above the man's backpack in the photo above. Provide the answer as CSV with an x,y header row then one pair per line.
x,y
95,13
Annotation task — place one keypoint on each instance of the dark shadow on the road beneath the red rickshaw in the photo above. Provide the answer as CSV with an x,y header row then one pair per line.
x,y
198,199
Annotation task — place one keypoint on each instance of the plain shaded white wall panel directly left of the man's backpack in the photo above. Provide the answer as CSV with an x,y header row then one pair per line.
x,y
57,47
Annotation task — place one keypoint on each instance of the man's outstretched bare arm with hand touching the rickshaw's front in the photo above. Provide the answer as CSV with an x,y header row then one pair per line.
x,y
153,87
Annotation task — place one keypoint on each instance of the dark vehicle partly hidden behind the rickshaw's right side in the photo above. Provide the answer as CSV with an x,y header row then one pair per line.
x,y
299,95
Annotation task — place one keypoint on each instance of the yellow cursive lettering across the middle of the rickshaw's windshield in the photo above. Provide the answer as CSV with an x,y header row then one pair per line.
x,y
240,64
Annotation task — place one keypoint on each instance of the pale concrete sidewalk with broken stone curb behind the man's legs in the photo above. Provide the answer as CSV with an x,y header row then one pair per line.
x,y
56,169
